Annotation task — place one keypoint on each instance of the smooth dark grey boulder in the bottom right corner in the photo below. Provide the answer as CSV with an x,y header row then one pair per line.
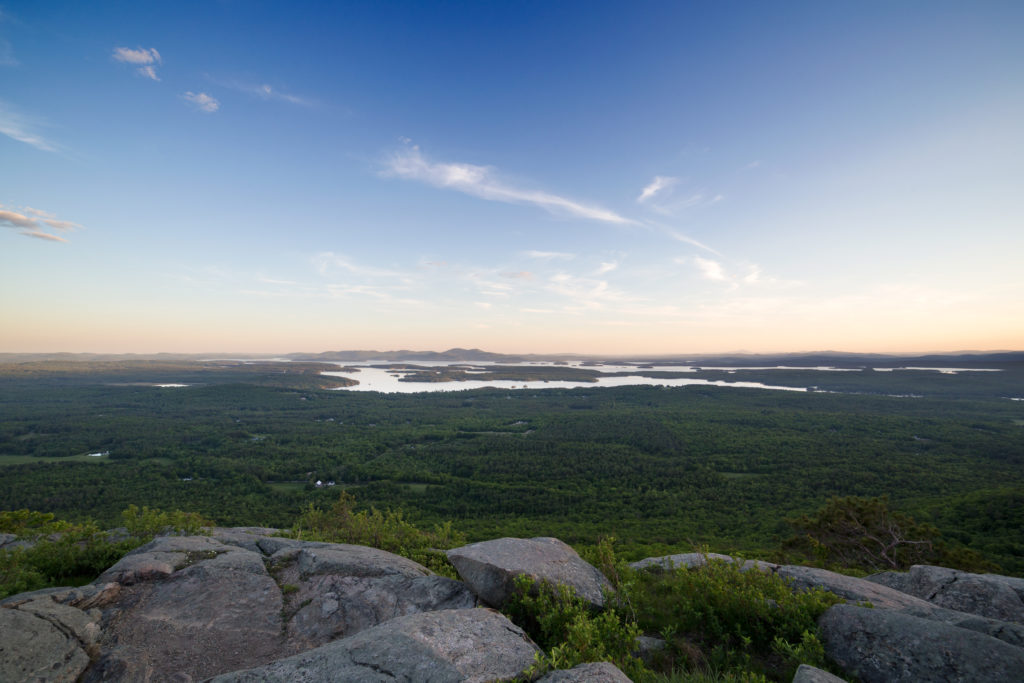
x,y
882,646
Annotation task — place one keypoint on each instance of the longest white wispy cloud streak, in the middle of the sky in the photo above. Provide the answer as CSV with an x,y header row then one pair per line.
x,y
482,182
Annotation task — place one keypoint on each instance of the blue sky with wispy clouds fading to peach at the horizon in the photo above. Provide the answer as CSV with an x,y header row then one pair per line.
x,y
593,178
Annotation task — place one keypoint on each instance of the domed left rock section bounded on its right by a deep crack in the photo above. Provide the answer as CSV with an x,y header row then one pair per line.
x,y
190,608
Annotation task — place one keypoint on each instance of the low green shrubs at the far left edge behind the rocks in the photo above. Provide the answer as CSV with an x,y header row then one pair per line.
x,y
61,553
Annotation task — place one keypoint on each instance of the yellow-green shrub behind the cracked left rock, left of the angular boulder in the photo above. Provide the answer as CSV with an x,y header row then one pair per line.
x,y
388,531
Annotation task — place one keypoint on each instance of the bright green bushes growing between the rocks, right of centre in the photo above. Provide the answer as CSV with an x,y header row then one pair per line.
x,y
719,622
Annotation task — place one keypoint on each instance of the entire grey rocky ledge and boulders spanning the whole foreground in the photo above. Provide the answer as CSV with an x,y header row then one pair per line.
x,y
242,606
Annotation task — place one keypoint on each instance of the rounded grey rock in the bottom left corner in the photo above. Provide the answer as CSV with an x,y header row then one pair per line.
x,y
33,649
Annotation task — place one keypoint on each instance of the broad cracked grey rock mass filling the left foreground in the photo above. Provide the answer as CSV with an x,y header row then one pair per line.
x,y
191,608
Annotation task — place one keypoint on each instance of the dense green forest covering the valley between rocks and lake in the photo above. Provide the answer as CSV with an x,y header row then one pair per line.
x,y
659,468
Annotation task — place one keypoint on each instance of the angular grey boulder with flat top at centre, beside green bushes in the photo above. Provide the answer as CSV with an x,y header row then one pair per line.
x,y
491,568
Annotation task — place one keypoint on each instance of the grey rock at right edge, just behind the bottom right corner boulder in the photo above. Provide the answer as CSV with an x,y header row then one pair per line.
x,y
986,595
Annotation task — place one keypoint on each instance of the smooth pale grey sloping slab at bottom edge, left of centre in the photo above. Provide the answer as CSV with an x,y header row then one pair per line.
x,y
474,646
